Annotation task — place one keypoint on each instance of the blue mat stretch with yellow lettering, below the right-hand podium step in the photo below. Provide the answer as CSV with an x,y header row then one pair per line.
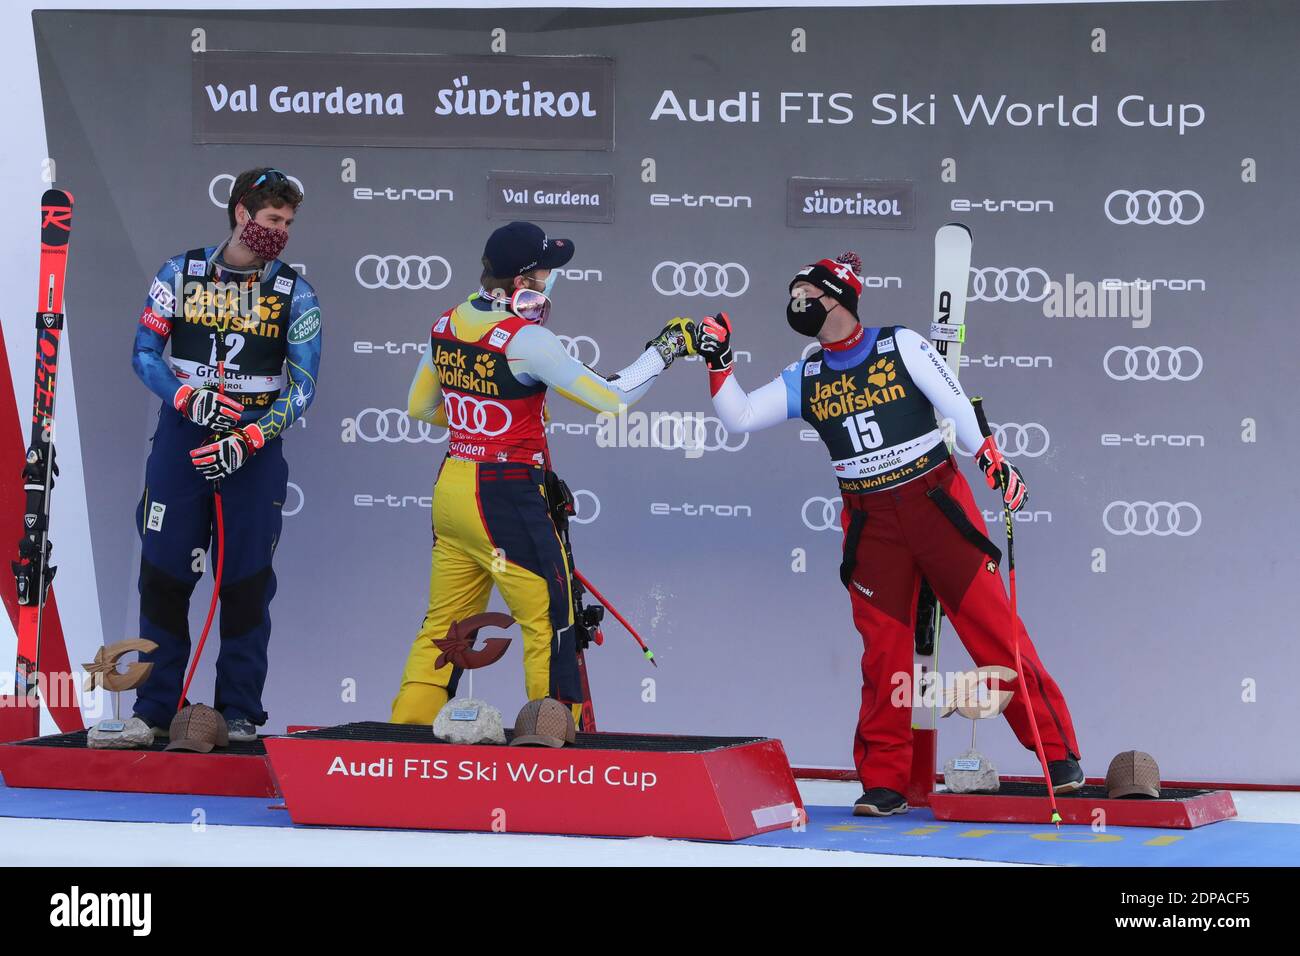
x,y
1229,843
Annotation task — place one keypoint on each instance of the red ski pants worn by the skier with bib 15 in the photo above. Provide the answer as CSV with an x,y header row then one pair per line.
x,y
904,535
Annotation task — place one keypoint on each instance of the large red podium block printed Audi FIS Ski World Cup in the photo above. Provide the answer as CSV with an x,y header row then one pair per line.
x,y
606,785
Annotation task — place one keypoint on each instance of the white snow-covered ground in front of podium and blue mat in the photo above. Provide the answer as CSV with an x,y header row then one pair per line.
x,y
80,843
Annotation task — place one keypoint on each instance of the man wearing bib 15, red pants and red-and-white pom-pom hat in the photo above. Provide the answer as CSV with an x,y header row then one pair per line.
x,y
873,393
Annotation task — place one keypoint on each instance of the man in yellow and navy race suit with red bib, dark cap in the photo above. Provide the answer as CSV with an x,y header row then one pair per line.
x,y
486,378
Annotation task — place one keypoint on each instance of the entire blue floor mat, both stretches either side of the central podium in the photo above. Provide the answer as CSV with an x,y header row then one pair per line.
x,y
1230,843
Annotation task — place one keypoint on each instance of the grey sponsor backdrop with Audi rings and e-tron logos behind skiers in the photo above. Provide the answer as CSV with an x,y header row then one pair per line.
x,y
1155,652
